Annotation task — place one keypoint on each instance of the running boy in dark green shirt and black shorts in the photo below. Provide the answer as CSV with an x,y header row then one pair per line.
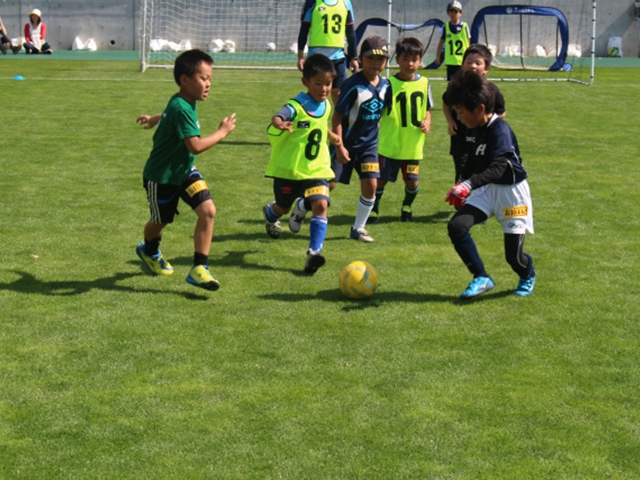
x,y
170,174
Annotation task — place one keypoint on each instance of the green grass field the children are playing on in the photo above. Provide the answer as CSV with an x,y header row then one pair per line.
x,y
108,372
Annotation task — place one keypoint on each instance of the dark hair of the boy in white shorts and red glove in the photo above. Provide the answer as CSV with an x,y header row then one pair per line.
x,y
470,90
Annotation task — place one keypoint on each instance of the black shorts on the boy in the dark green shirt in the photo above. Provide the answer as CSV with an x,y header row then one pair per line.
x,y
163,198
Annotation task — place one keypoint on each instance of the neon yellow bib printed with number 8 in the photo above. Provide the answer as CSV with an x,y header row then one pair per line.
x,y
304,153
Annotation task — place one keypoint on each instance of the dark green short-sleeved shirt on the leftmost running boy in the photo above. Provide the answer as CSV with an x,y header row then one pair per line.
x,y
170,160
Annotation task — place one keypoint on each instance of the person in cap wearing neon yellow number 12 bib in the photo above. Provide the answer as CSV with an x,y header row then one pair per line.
x,y
455,38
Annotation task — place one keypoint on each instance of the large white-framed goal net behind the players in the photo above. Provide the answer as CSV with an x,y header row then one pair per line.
x,y
264,33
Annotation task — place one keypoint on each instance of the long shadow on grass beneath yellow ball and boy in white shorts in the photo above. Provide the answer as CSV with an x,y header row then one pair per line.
x,y
381,297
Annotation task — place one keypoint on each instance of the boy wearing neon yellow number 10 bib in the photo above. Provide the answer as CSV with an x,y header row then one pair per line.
x,y
403,127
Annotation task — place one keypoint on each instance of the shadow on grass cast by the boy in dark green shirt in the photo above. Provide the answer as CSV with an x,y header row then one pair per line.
x,y
28,283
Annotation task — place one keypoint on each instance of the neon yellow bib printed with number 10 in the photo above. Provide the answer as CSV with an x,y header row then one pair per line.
x,y
400,135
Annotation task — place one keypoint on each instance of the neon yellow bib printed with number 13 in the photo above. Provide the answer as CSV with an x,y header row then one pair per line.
x,y
328,25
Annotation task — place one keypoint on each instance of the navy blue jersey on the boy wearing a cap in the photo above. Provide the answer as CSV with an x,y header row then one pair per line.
x,y
361,104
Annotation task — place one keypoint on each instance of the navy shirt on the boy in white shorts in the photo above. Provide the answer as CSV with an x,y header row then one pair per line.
x,y
494,156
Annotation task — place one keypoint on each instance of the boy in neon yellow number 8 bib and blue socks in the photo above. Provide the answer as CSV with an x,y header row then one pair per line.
x,y
300,164
